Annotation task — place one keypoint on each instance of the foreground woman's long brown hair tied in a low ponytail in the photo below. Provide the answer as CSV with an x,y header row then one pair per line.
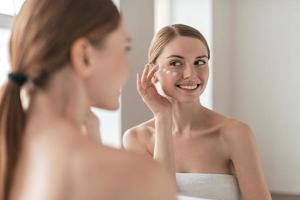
x,y
42,35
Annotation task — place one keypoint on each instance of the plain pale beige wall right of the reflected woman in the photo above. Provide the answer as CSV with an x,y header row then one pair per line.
x,y
257,79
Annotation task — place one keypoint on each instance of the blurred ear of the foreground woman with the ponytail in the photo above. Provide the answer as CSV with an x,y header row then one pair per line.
x,y
80,59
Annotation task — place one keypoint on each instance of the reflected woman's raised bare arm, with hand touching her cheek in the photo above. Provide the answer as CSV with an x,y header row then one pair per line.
x,y
161,109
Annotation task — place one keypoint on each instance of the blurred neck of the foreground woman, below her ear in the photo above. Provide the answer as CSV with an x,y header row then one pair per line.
x,y
63,97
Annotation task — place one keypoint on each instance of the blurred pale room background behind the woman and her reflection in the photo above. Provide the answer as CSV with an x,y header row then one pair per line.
x,y
255,71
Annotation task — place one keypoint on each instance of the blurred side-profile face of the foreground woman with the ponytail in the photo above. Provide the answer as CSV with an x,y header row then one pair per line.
x,y
111,70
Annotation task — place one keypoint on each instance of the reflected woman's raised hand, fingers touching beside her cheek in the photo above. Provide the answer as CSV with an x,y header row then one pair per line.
x,y
158,104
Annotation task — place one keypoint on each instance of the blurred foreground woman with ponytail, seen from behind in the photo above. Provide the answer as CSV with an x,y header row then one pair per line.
x,y
66,56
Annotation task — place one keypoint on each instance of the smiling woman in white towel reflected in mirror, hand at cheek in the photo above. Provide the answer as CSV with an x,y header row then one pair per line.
x,y
214,156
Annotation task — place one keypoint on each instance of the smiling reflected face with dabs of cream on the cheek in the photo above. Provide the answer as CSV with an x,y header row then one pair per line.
x,y
183,69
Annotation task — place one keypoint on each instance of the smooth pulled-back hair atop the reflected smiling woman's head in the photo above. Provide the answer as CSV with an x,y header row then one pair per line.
x,y
168,33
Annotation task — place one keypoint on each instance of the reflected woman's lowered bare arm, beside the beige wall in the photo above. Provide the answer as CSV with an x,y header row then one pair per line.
x,y
246,162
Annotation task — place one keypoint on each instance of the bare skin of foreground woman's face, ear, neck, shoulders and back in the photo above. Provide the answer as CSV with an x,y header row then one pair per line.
x,y
63,162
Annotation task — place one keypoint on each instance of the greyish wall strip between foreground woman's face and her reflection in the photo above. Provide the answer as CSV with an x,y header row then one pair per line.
x,y
139,18
